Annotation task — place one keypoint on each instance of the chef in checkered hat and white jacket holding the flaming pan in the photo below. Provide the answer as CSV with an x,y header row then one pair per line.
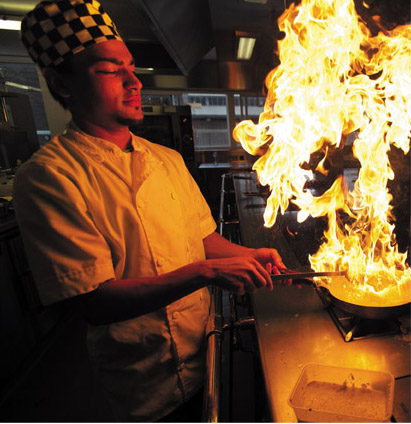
x,y
118,223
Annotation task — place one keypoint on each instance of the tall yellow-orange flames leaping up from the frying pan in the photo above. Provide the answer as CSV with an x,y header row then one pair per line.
x,y
336,79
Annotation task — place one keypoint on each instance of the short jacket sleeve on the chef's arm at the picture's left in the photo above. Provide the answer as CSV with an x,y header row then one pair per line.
x,y
66,253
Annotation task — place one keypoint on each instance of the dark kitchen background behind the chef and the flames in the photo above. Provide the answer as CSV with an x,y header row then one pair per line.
x,y
195,91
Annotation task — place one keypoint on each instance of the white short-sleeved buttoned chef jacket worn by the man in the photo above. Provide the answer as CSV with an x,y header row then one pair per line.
x,y
89,212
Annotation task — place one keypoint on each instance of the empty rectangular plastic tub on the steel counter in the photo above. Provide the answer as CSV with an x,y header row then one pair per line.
x,y
333,394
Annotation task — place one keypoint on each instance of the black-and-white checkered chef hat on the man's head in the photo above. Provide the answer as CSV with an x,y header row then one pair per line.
x,y
55,30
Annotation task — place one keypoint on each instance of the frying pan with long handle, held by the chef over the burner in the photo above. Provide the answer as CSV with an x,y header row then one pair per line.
x,y
339,296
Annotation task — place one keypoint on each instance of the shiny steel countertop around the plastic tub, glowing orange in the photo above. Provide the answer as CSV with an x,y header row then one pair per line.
x,y
294,329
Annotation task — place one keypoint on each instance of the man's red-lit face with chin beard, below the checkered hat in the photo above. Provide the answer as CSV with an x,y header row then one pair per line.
x,y
103,87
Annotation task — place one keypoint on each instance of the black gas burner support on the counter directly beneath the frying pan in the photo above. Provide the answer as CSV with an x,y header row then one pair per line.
x,y
353,328
